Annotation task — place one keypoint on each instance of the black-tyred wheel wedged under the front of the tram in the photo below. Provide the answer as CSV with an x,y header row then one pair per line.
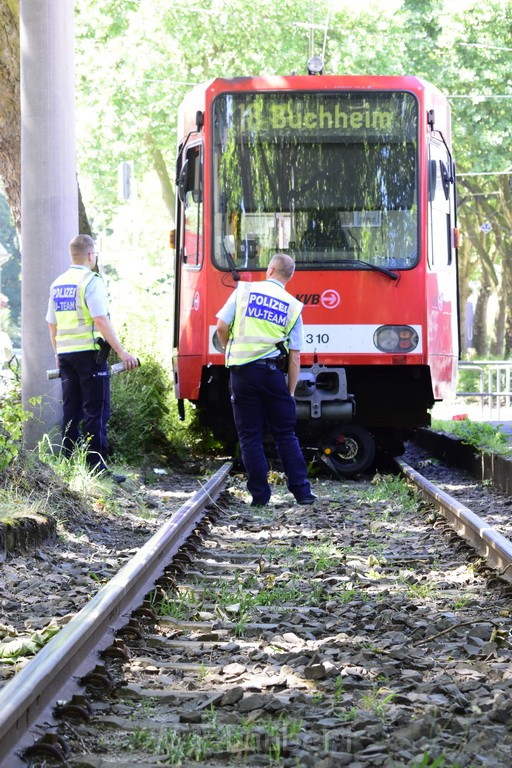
x,y
348,450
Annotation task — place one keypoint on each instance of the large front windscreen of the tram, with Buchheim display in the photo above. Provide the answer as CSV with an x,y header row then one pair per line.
x,y
330,178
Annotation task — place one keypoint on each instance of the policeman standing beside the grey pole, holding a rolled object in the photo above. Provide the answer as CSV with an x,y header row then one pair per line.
x,y
78,322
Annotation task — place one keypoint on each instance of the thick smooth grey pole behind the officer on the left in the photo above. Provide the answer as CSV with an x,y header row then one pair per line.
x,y
49,197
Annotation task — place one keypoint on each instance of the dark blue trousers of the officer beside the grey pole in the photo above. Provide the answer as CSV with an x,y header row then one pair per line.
x,y
85,402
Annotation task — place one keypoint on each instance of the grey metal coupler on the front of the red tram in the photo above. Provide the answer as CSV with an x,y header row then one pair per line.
x,y
321,393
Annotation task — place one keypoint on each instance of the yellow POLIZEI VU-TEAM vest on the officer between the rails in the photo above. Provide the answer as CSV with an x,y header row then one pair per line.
x,y
265,314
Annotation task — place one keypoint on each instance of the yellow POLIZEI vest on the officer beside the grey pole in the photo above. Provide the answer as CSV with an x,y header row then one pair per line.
x,y
75,326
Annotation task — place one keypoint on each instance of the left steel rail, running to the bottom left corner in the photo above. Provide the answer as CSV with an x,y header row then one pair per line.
x,y
56,669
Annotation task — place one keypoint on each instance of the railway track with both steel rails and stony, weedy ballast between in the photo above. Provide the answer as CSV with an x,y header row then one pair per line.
x,y
356,633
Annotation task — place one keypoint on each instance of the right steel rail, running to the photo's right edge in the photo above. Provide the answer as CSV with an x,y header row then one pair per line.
x,y
491,545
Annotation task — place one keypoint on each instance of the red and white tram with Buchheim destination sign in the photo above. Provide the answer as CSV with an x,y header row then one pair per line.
x,y
353,176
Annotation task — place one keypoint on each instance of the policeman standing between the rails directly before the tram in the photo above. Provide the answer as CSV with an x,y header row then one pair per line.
x,y
256,318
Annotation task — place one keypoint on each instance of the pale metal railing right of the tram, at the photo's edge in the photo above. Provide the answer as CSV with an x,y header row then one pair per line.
x,y
490,385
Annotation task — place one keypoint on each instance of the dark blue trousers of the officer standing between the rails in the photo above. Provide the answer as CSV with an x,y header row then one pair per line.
x,y
259,394
